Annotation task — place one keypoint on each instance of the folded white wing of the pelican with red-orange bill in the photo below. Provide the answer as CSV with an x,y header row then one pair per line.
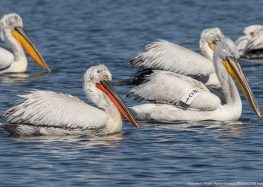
x,y
50,109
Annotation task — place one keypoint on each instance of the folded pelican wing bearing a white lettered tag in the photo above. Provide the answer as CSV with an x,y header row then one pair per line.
x,y
171,88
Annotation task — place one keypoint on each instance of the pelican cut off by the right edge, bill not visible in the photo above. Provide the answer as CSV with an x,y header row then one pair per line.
x,y
250,46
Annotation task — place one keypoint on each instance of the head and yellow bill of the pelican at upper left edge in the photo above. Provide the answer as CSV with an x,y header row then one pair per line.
x,y
11,25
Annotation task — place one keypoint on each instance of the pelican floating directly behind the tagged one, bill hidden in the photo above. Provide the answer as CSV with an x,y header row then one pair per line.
x,y
168,56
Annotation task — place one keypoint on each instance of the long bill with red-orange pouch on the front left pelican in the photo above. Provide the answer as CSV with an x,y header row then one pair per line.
x,y
106,87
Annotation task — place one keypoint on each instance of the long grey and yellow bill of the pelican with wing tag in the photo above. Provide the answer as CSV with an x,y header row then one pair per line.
x,y
235,70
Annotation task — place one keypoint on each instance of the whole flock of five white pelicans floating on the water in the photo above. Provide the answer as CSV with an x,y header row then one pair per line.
x,y
175,82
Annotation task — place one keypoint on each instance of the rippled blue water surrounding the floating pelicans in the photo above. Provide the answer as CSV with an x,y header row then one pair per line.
x,y
73,35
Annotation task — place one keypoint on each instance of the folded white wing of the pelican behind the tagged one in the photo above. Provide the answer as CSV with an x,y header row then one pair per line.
x,y
164,55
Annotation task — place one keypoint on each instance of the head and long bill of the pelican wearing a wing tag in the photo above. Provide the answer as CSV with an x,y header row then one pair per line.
x,y
228,54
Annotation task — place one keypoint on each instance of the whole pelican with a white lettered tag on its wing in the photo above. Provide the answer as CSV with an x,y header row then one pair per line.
x,y
179,97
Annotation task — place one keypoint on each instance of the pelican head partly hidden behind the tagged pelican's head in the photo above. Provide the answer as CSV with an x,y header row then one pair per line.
x,y
208,40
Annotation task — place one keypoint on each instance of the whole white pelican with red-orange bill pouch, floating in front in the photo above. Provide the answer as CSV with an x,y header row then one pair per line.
x,y
51,113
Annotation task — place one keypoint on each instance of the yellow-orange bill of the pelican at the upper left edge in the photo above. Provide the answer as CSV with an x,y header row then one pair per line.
x,y
20,35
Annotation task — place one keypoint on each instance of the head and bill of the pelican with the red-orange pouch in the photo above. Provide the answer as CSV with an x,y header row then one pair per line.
x,y
99,77
